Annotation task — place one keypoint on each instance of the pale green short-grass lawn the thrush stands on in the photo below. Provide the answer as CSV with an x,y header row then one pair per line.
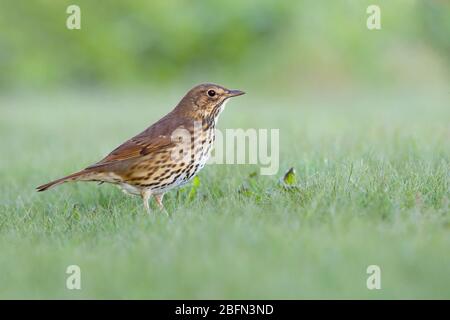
x,y
373,188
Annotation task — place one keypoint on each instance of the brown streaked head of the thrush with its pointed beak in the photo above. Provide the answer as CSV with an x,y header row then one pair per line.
x,y
206,100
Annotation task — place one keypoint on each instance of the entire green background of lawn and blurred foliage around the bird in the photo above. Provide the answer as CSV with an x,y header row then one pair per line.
x,y
363,118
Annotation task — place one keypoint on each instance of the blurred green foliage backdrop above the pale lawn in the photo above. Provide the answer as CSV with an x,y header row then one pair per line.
x,y
261,42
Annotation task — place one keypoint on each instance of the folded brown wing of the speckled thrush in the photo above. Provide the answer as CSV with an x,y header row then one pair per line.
x,y
154,139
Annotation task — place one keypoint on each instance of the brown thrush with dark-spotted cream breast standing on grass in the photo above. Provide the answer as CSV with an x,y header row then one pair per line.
x,y
166,155
